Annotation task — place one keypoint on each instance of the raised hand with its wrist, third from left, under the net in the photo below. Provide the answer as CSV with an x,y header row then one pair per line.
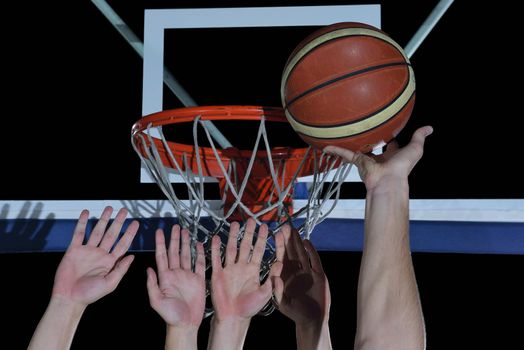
x,y
236,291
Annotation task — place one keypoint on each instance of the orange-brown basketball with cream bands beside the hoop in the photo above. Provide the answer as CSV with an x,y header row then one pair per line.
x,y
348,85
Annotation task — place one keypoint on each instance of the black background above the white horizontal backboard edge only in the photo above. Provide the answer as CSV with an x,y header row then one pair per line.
x,y
71,71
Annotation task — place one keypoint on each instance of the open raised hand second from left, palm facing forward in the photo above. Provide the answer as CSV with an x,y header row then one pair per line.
x,y
180,297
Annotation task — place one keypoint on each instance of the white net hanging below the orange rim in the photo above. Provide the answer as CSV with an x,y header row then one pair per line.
x,y
204,220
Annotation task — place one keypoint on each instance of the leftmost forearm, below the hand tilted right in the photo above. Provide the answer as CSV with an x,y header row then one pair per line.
x,y
58,325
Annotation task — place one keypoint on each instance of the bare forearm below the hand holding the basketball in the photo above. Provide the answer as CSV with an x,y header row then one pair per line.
x,y
388,307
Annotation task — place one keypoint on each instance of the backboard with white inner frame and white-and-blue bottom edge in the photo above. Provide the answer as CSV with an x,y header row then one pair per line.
x,y
69,148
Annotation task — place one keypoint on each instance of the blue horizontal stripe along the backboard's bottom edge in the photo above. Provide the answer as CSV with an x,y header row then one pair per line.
x,y
33,235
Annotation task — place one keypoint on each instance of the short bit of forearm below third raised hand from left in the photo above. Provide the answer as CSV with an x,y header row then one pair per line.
x,y
227,334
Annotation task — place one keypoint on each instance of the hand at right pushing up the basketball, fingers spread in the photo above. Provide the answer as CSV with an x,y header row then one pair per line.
x,y
395,162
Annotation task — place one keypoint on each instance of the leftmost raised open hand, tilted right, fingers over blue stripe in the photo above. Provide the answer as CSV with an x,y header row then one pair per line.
x,y
90,271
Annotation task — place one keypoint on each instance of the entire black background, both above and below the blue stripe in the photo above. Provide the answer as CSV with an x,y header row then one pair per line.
x,y
70,69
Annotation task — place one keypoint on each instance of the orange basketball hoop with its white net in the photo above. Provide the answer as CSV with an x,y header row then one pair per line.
x,y
255,183
